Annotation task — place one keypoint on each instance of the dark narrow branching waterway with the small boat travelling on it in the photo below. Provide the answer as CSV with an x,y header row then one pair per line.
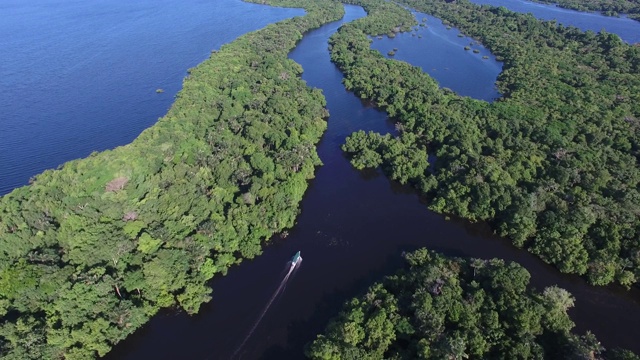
x,y
352,230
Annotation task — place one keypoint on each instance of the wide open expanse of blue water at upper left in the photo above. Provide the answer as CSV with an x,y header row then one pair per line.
x,y
81,76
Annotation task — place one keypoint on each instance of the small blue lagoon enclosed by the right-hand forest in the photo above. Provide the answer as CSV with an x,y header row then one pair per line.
x,y
440,53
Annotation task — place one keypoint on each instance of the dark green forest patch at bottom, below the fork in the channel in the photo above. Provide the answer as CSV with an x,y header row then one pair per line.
x,y
444,308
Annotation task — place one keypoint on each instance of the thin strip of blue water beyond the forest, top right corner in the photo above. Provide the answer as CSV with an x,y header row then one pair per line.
x,y
627,29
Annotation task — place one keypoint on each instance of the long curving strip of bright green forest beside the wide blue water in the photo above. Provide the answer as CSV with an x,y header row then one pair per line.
x,y
89,252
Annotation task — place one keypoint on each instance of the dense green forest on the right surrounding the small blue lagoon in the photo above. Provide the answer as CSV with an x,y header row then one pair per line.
x,y
553,165
